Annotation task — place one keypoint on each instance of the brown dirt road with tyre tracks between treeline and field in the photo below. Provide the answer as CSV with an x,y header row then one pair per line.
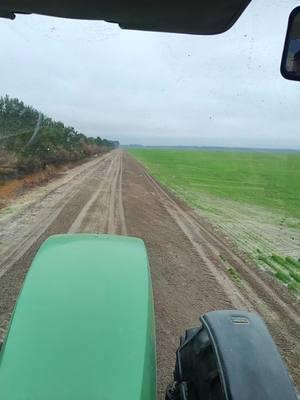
x,y
189,260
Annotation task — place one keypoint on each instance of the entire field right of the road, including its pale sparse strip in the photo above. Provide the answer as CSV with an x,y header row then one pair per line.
x,y
254,197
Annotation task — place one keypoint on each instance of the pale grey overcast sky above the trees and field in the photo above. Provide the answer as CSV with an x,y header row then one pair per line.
x,y
157,88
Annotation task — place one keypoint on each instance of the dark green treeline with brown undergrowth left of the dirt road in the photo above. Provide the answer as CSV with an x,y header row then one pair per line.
x,y
29,140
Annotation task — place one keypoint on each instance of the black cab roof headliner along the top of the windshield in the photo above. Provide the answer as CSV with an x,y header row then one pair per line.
x,y
205,17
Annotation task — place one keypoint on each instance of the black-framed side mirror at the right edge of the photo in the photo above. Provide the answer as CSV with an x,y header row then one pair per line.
x,y
290,63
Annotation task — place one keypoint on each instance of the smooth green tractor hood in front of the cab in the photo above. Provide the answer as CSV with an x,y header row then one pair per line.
x,y
83,326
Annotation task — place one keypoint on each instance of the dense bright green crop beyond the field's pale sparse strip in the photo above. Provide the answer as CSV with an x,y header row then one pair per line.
x,y
269,179
